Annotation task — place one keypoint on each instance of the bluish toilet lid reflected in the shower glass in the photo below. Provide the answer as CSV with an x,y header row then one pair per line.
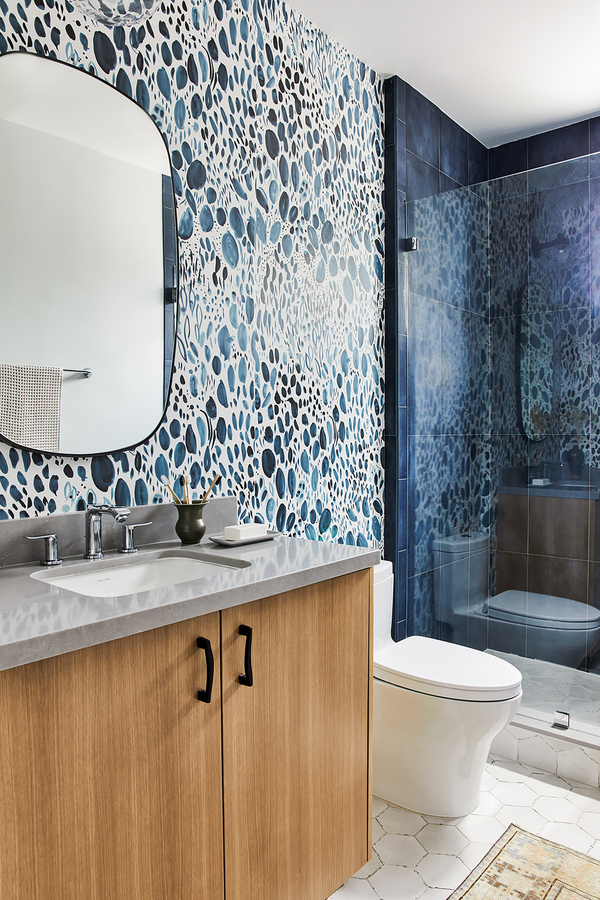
x,y
543,611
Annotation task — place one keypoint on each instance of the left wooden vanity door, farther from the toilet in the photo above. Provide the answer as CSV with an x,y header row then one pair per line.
x,y
110,772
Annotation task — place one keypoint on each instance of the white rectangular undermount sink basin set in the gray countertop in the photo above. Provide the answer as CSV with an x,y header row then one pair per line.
x,y
112,578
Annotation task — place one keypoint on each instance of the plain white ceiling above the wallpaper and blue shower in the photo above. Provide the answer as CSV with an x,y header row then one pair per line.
x,y
503,69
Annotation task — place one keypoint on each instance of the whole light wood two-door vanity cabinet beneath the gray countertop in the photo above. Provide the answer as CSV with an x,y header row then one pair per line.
x,y
116,782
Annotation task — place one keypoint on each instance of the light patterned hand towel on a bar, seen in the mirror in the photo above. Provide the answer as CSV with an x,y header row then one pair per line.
x,y
30,405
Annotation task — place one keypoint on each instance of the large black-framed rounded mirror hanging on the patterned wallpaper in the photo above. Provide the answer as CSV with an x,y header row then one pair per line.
x,y
88,262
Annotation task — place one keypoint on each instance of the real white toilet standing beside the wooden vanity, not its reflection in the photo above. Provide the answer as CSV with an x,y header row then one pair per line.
x,y
436,709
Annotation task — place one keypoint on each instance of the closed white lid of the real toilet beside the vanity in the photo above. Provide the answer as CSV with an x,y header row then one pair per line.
x,y
446,670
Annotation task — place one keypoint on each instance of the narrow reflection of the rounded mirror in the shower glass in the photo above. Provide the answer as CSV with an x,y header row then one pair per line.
x,y
535,362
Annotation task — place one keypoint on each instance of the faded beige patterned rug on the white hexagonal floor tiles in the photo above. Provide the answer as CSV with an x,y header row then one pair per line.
x,y
521,866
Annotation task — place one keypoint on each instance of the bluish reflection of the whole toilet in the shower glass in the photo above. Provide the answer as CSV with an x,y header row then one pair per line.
x,y
539,626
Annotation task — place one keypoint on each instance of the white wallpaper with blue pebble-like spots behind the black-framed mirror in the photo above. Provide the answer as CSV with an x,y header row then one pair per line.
x,y
276,141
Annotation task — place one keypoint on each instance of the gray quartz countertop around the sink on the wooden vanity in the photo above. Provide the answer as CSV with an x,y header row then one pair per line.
x,y
39,620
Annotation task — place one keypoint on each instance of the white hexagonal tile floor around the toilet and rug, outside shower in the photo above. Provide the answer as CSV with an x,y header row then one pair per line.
x,y
423,858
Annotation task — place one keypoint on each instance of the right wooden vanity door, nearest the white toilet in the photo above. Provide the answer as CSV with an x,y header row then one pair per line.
x,y
296,745
